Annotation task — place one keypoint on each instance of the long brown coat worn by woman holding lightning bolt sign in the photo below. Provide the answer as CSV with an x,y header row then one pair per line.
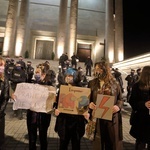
x,y
115,131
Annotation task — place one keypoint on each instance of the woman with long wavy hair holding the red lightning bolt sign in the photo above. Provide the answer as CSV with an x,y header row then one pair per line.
x,y
108,135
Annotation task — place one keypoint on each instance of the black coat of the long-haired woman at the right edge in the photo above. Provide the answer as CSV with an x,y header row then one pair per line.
x,y
140,128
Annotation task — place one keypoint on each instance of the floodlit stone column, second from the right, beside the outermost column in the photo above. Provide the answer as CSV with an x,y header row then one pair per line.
x,y
109,33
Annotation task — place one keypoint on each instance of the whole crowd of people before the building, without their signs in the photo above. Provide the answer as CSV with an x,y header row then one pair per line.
x,y
108,134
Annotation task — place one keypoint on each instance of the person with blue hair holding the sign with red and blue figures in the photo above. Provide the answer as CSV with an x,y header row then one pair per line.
x,y
70,127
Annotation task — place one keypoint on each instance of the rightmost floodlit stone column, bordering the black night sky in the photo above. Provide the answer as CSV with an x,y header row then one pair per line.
x,y
119,48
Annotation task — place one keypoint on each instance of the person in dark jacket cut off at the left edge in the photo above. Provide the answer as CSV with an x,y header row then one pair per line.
x,y
4,97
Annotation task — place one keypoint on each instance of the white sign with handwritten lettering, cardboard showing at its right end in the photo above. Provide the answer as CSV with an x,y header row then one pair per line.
x,y
38,98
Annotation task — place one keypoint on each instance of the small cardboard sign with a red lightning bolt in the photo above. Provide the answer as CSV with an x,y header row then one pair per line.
x,y
104,105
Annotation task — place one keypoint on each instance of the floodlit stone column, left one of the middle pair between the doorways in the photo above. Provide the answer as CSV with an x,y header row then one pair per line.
x,y
61,33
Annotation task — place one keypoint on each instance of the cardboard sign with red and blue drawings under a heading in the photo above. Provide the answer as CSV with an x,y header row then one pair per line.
x,y
73,100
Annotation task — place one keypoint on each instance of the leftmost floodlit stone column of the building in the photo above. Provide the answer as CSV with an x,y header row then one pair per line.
x,y
9,37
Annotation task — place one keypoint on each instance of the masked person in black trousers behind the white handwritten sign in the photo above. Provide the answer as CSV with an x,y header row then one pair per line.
x,y
38,121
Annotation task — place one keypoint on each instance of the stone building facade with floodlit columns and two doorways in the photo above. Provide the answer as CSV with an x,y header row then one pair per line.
x,y
45,27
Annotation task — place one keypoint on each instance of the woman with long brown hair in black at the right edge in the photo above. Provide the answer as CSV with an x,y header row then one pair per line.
x,y
140,103
